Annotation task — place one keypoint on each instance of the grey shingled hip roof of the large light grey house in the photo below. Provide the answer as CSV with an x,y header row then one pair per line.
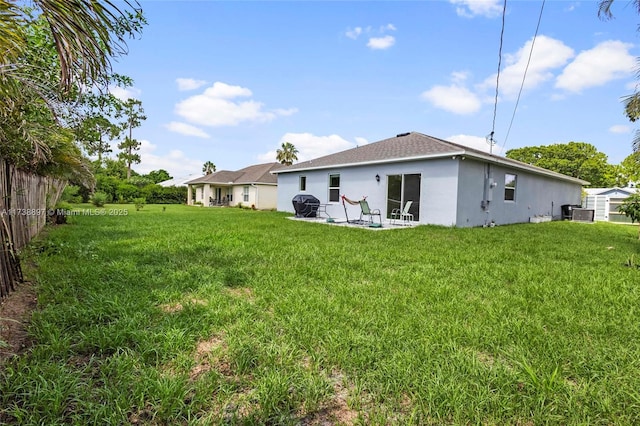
x,y
409,147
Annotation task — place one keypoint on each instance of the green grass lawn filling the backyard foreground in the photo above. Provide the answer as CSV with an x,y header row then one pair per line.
x,y
227,316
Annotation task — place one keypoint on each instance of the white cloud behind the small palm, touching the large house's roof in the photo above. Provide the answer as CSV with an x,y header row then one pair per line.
x,y
310,146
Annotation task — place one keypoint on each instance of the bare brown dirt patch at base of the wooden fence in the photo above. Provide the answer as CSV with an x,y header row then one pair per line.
x,y
15,312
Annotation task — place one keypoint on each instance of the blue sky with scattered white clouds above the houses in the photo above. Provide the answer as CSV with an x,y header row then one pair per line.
x,y
228,82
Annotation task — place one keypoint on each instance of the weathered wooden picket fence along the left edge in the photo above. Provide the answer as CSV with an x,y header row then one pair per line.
x,y
25,202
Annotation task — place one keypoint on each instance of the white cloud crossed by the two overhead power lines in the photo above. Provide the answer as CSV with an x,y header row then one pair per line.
x,y
548,54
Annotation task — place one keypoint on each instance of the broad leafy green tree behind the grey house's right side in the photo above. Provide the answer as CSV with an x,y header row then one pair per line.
x,y
577,159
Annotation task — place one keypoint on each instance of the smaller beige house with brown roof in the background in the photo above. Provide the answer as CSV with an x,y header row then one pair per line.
x,y
253,186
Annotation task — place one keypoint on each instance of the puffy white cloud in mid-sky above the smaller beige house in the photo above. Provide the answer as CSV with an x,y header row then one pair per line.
x,y
216,107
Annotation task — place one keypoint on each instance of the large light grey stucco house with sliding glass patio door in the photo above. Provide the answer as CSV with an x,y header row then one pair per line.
x,y
449,184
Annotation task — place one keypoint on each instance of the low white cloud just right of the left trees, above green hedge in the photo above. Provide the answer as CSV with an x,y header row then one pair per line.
x,y
175,162
